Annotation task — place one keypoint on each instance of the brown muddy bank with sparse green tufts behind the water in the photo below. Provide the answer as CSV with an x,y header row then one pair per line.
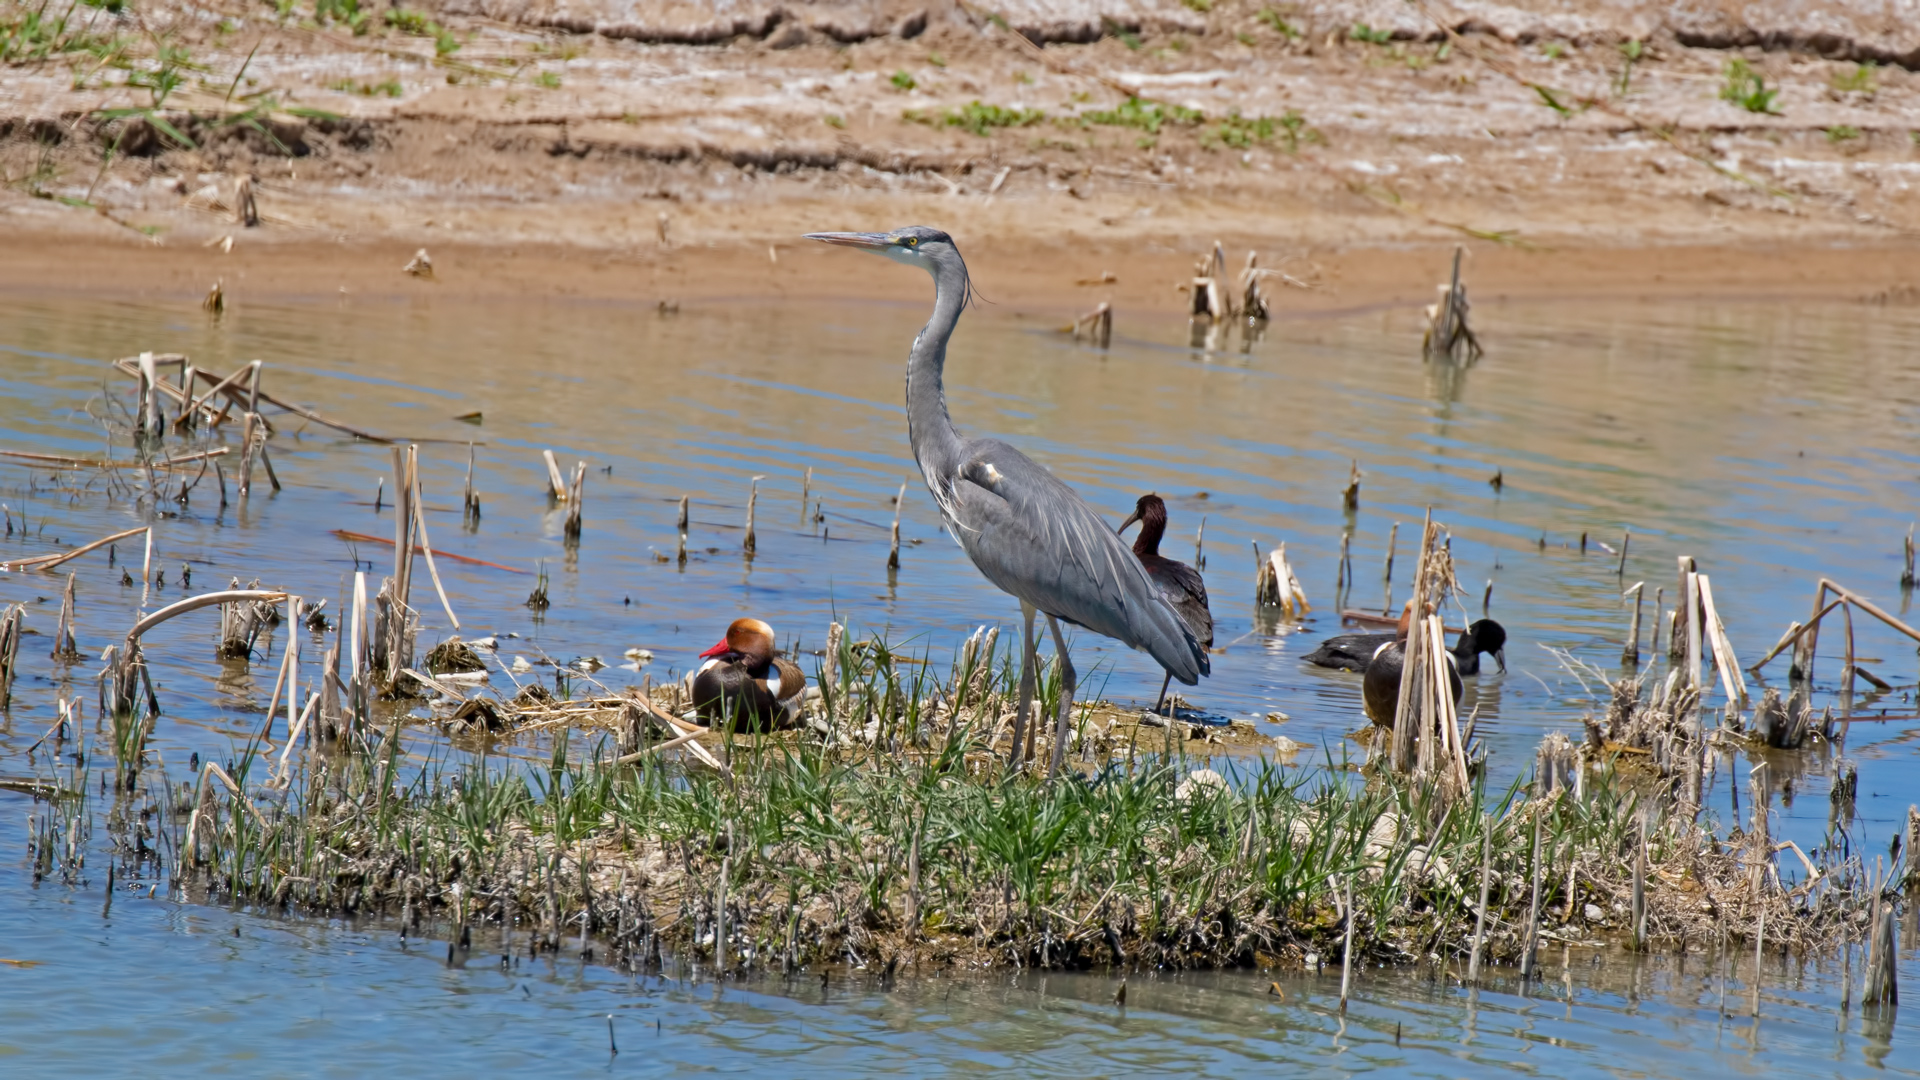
x,y
571,135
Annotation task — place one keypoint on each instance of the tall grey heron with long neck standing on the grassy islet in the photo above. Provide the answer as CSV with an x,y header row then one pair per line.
x,y
1026,531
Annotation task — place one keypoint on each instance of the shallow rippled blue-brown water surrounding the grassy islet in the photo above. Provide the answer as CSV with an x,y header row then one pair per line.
x,y
1773,443
